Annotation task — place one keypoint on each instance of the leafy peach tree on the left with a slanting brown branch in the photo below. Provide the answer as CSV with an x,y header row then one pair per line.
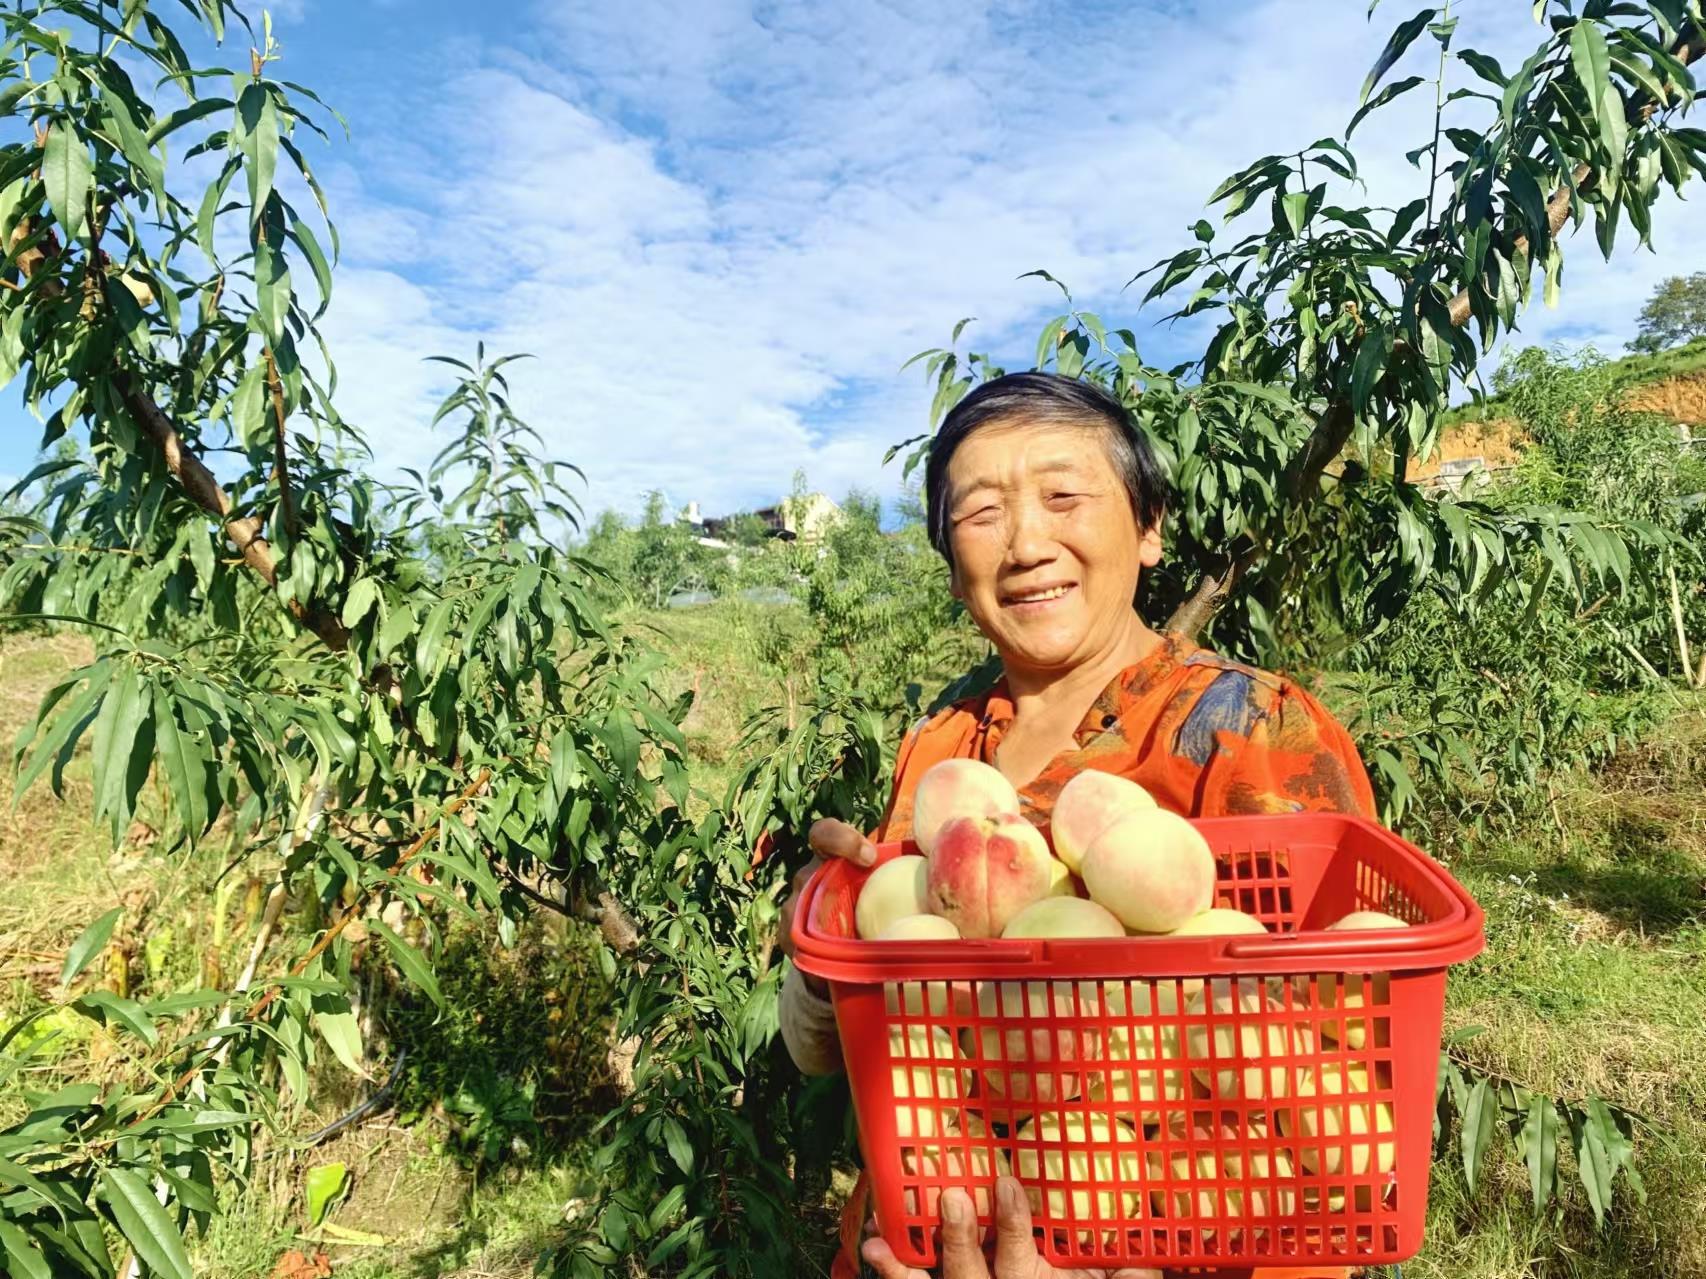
x,y
378,693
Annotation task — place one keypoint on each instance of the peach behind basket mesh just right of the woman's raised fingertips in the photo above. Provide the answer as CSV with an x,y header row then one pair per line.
x,y
1076,1174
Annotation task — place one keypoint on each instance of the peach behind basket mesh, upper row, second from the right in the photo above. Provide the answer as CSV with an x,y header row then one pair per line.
x,y
1255,1050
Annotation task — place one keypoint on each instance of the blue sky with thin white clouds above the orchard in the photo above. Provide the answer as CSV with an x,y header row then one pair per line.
x,y
722,226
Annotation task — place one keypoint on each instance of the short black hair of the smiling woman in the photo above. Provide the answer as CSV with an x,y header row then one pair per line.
x,y
1045,400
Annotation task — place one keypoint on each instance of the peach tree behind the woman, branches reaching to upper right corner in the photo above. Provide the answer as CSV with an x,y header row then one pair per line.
x,y
1338,333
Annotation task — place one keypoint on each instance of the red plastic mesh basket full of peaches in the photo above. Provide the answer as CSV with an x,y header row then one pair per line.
x,y
1197,1101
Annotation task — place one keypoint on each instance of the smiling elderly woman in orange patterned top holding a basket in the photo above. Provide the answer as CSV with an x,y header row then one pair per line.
x,y
1048,507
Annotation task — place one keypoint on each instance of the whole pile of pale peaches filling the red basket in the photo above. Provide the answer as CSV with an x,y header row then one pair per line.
x,y
1113,865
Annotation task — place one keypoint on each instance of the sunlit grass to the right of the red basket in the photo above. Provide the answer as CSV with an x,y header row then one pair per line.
x,y
1594,983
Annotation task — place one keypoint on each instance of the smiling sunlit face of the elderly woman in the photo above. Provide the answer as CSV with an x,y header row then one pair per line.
x,y
1047,547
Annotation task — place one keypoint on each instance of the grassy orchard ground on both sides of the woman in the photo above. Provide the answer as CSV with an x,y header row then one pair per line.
x,y
1594,981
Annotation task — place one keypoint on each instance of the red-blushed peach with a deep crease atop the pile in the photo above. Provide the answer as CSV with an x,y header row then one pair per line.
x,y
985,871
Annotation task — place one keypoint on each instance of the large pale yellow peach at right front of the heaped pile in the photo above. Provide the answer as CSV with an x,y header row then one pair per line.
x,y
1152,871
